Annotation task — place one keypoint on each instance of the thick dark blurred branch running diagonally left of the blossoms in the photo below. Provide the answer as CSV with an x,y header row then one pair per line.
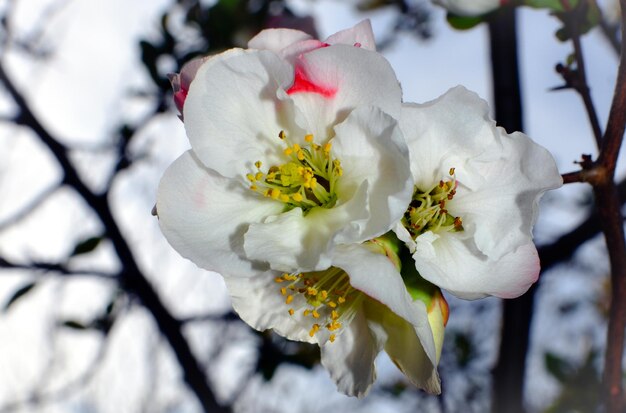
x,y
132,279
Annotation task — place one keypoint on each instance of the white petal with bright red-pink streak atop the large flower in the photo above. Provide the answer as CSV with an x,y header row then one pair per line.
x,y
357,76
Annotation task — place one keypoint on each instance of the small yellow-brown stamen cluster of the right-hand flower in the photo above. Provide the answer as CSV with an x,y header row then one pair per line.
x,y
427,211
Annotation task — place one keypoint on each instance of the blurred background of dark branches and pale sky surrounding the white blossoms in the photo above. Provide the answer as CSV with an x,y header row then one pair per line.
x,y
98,314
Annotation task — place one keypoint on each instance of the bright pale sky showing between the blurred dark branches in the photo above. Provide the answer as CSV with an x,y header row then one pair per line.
x,y
82,91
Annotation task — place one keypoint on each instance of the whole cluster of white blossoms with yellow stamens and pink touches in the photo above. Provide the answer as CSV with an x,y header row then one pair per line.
x,y
335,212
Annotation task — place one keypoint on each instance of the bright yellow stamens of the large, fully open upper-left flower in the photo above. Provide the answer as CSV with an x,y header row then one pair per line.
x,y
307,180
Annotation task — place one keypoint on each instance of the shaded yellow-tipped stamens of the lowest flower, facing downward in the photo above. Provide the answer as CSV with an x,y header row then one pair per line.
x,y
325,296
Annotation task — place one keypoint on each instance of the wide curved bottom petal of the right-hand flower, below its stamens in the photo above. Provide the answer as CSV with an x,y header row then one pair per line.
x,y
458,266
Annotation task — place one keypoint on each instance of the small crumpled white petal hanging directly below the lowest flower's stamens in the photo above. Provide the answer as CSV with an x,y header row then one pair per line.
x,y
350,358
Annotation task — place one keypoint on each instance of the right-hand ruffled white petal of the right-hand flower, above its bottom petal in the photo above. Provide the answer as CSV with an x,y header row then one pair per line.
x,y
503,212
